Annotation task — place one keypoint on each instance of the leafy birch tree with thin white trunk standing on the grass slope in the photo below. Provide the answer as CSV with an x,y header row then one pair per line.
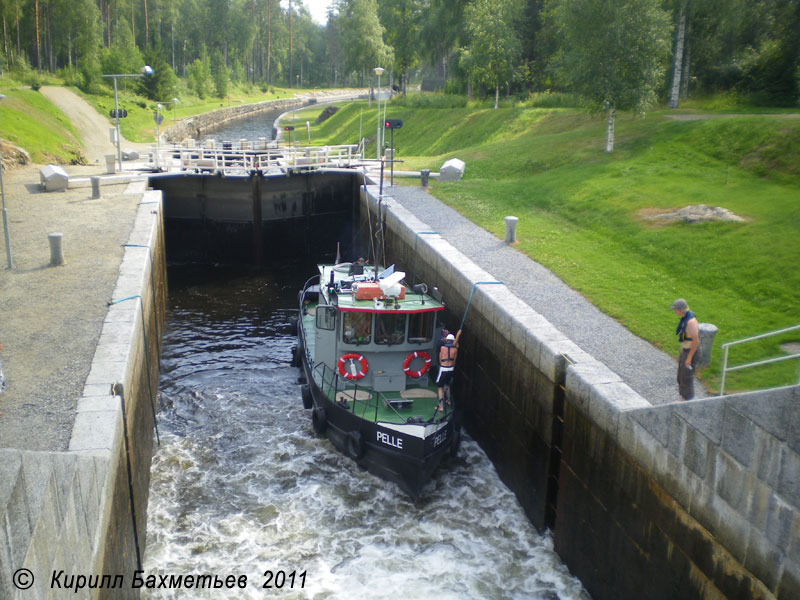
x,y
613,52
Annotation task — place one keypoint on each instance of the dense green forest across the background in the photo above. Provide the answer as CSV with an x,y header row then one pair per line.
x,y
623,53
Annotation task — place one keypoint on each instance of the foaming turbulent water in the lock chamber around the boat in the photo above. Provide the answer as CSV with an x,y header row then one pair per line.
x,y
241,485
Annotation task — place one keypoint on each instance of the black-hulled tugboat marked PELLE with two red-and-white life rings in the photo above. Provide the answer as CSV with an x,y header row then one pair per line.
x,y
367,344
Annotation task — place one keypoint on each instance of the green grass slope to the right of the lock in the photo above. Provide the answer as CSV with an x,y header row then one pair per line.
x,y
580,211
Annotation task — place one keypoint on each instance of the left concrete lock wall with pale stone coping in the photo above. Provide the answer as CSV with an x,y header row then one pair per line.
x,y
73,512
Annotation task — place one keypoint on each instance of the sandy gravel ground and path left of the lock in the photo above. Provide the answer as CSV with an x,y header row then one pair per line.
x,y
51,317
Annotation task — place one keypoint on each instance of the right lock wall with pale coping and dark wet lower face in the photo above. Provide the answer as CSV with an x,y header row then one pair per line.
x,y
687,500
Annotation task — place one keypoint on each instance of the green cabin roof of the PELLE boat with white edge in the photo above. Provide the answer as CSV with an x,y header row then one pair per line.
x,y
338,284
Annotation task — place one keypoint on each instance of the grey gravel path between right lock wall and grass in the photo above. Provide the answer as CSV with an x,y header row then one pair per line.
x,y
643,367
